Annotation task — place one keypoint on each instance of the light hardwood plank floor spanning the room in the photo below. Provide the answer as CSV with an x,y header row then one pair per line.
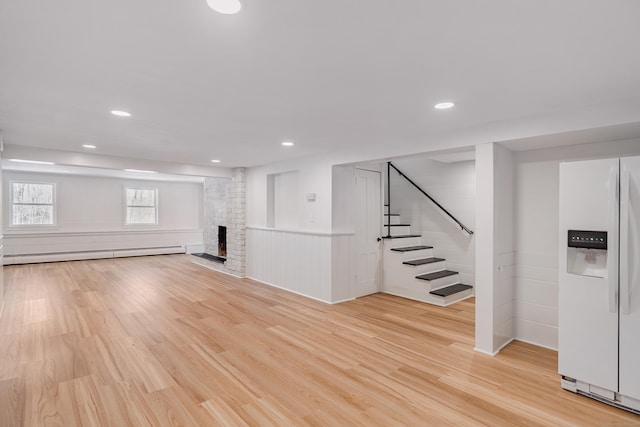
x,y
162,341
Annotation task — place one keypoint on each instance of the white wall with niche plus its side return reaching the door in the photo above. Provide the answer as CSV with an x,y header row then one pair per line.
x,y
316,257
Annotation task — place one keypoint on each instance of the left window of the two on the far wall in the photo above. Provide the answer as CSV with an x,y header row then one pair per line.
x,y
32,204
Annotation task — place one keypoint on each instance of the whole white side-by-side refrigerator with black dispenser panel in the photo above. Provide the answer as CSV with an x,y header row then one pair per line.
x,y
599,280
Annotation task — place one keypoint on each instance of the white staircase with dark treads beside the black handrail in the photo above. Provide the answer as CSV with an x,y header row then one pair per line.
x,y
411,270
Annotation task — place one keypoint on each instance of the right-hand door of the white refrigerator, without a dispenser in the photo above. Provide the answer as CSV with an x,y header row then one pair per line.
x,y
630,277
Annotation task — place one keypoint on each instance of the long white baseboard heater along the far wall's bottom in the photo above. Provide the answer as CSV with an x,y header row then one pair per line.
x,y
76,256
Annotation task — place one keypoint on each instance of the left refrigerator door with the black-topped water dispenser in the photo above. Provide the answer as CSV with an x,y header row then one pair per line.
x,y
588,311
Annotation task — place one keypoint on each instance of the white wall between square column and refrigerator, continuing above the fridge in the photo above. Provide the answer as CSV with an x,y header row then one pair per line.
x,y
536,235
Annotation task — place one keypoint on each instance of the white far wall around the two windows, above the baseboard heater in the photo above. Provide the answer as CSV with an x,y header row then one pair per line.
x,y
90,216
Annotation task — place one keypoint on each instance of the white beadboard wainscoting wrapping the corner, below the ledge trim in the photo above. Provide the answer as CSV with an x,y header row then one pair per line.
x,y
300,262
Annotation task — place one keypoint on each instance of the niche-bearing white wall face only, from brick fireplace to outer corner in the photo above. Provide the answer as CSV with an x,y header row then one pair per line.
x,y
296,257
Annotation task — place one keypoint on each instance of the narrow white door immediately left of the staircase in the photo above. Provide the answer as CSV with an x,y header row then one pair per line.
x,y
368,222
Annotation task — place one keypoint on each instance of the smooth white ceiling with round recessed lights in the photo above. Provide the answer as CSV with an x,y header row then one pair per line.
x,y
358,76
